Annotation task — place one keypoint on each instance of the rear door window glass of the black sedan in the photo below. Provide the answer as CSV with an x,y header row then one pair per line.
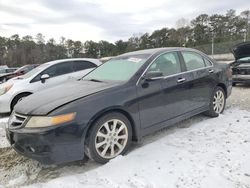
x,y
193,60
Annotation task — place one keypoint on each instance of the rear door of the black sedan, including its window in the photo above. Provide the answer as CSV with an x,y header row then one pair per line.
x,y
200,70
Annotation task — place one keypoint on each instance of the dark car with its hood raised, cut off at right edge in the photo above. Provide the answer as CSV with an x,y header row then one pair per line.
x,y
241,65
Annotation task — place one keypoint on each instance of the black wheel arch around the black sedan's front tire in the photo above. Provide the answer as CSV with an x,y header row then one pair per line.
x,y
135,135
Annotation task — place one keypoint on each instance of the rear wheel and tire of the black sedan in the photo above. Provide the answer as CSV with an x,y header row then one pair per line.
x,y
217,102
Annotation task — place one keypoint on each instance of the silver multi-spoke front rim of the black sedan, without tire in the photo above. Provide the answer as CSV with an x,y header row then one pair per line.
x,y
111,138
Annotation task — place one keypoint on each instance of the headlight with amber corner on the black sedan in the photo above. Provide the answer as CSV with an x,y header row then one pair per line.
x,y
43,121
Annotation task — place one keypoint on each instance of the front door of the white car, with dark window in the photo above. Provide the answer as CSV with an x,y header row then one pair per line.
x,y
58,74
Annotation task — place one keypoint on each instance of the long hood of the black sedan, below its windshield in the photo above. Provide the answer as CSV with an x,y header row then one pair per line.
x,y
43,102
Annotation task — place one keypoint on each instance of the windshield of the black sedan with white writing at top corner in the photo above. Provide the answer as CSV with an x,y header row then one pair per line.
x,y
118,69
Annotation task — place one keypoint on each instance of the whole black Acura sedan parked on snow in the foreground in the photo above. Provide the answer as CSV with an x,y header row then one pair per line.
x,y
124,99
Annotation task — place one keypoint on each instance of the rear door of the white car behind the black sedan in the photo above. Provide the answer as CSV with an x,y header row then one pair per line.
x,y
81,68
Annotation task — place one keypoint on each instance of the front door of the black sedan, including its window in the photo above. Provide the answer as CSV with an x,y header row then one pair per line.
x,y
162,99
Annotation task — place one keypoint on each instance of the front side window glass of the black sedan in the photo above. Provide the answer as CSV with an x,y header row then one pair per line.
x,y
167,63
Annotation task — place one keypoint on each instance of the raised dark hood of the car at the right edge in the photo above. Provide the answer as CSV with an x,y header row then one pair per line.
x,y
241,50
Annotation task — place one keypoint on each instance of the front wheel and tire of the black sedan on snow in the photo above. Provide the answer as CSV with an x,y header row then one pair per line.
x,y
108,137
